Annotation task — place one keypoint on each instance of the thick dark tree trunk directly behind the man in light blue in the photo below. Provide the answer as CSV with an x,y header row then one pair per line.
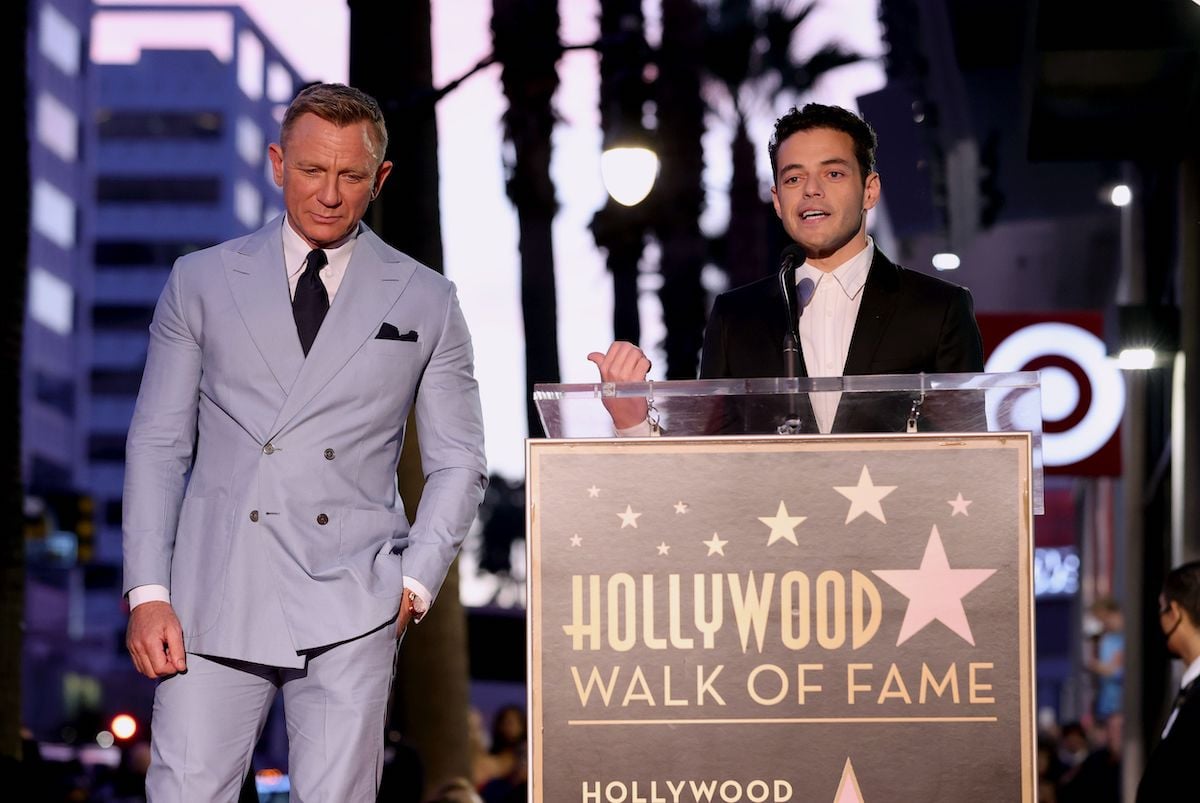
x,y
431,696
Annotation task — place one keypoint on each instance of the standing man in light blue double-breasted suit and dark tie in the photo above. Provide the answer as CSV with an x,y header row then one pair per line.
x,y
266,543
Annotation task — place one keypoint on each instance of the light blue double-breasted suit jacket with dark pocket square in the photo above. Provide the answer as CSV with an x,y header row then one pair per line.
x,y
261,484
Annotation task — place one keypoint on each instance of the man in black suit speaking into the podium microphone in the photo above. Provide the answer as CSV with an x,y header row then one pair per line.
x,y
860,313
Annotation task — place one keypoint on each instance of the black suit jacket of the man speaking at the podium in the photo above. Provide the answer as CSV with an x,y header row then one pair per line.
x,y
908,323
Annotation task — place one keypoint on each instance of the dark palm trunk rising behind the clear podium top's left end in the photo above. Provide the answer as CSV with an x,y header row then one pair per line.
x,y
525,41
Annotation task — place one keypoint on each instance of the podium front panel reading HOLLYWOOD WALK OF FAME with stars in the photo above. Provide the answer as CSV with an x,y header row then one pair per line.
x,y
782,619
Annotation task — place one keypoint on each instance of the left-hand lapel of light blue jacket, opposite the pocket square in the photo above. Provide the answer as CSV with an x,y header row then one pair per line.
x,y
260,286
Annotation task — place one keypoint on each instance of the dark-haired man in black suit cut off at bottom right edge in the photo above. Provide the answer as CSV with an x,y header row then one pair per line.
x,y
1171,770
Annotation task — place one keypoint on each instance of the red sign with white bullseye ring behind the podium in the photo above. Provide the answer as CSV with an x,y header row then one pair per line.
x,y
1083,391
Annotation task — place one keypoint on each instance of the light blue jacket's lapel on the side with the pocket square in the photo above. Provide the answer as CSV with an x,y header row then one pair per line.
x,y
374,281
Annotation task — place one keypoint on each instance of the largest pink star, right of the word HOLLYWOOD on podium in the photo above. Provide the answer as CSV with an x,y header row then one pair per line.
x,y
935,591
